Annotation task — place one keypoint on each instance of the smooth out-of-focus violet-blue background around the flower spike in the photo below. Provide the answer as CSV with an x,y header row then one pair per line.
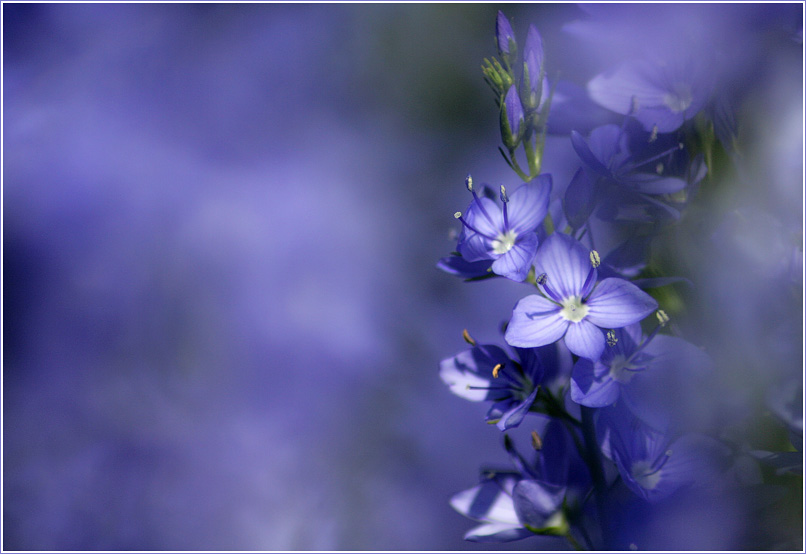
x,y
222,319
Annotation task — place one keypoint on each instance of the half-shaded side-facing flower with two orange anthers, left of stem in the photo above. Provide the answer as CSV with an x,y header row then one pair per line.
x,y
486,373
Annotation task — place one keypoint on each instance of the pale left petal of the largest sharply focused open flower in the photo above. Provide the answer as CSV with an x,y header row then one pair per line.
x,y
535,321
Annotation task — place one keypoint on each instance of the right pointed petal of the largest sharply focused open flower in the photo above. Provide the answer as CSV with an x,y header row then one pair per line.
x,y
616,303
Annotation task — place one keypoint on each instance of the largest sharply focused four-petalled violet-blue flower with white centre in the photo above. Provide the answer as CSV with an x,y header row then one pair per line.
x,y
574,306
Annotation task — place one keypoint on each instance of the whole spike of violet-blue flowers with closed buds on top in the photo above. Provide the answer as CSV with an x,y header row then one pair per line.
x,y
593,375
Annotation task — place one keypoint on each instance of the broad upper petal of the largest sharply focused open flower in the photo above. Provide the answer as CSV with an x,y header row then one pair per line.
x,y
565,262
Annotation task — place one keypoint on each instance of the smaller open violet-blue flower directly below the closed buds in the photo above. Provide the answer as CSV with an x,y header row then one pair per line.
x,y
507,234
